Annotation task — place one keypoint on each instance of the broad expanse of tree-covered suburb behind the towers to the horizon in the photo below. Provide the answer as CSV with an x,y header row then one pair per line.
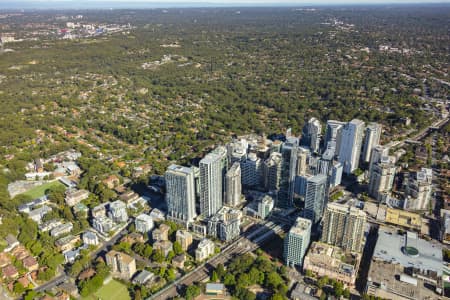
x,y
261,70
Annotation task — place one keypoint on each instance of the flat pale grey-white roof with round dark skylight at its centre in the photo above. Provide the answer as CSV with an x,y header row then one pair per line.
x,y
390,247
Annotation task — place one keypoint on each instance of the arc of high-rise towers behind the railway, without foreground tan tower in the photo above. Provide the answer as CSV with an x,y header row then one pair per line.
x,y
293,168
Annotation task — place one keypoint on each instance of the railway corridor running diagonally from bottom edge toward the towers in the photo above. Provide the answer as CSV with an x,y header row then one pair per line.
x,y
248,242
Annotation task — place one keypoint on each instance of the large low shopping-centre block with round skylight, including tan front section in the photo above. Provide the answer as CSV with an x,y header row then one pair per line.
x,y
404,266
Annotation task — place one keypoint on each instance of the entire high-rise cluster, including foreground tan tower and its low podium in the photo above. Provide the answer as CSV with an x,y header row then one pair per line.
x,y
290,173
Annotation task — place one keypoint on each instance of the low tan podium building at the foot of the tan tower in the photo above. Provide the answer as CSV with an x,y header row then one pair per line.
x,y
331,261
